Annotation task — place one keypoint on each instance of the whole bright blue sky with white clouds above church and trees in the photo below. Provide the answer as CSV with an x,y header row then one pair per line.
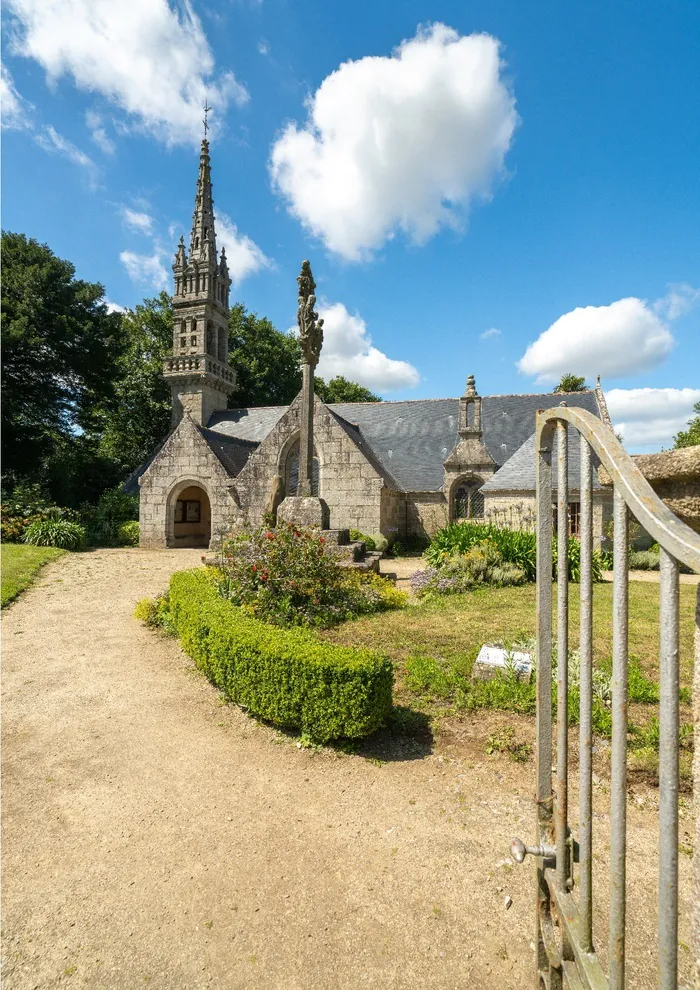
x,y
465,177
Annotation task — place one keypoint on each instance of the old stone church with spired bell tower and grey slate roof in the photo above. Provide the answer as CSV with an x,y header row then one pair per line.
x,y
400,469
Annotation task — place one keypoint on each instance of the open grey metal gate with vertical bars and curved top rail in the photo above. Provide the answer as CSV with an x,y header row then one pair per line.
x,y
566,955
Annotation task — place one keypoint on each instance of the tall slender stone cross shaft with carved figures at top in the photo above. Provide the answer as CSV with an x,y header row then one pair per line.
x,y
311,340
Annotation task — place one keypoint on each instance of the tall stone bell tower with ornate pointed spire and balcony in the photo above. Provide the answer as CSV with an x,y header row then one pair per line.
x,y
198,370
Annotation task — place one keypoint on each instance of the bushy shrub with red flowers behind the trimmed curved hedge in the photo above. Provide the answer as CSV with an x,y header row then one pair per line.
x,y
285,577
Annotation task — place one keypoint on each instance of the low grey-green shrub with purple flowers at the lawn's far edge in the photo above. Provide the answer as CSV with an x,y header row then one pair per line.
x,y
483,564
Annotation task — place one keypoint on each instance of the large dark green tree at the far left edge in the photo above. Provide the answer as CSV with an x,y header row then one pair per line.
x,y
59,349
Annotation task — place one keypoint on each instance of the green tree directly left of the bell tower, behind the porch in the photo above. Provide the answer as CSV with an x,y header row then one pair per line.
x,y
139,419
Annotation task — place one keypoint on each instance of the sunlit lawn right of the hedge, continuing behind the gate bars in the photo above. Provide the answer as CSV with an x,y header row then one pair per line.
x,y
456,626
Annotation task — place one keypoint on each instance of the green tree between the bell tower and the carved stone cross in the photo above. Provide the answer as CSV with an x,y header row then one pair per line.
x,y
265,359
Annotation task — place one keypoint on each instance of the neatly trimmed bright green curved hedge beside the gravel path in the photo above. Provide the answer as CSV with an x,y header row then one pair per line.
x,y
289,676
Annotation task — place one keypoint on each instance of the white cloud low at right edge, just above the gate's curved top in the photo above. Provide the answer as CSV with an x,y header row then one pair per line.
x,y
651,416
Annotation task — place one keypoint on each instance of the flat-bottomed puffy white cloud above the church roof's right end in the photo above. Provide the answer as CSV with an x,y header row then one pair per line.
x,y
618,339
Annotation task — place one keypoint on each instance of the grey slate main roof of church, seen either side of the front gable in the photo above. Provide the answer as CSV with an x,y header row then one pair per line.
x,y
410,440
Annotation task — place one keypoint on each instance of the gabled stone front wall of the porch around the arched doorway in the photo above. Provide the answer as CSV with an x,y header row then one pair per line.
x,y
184,460
